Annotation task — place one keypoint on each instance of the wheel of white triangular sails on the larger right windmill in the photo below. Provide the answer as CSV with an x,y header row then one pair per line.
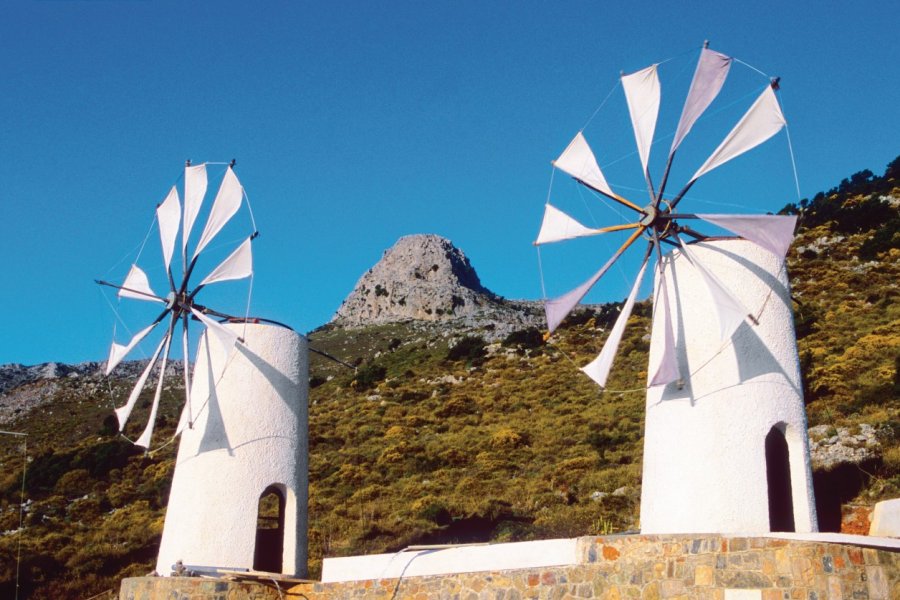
x,y
659,222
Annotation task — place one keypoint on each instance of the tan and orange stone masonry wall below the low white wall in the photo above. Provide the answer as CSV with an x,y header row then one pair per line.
x,y
610,568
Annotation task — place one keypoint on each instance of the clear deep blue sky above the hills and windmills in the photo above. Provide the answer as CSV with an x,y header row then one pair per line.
x,y
355,123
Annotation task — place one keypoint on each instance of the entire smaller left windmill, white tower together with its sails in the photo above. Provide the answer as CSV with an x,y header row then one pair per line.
x,y
239,492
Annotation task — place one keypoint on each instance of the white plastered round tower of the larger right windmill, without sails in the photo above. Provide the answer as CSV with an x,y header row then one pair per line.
x,y
704,446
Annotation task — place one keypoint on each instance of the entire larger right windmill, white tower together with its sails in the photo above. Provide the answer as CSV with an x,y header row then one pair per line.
x,y
726,447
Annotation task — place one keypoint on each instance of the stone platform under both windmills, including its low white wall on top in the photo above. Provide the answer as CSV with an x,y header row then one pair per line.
x,y
686,567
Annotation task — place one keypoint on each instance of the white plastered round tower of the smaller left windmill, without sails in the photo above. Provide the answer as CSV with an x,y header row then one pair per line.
x,y
250,432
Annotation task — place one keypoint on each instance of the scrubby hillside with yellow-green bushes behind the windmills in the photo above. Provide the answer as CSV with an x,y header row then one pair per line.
x,y
465,428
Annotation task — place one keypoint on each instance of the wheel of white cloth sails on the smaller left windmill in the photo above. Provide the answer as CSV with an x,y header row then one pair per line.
x,y
180,305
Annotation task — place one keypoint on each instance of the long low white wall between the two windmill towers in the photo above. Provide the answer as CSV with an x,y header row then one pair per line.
x,y
461,559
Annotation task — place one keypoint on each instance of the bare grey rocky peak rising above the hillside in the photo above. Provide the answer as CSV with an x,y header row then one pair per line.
x,y
422,277
